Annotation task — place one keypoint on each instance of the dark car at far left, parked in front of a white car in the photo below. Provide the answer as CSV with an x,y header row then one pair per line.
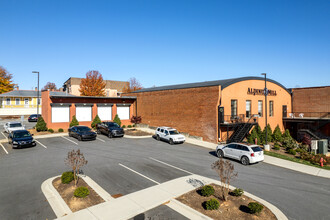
x,y
21,138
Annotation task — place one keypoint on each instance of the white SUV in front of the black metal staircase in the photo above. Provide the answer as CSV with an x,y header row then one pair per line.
x,y
245,153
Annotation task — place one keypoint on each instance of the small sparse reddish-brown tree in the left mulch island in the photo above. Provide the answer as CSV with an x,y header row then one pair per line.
x,y
75,160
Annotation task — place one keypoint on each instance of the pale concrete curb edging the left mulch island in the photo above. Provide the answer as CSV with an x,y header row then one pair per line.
x,y
55,200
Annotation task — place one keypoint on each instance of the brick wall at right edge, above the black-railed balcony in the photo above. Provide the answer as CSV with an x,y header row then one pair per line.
x,y
314,99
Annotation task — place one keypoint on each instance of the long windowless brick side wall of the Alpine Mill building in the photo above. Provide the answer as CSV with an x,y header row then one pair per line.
x,y
192,110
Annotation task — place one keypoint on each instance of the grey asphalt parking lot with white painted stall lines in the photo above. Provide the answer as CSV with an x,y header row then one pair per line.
x,y
123,165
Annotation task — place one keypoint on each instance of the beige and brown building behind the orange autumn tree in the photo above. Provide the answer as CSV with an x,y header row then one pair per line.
x,y
112,88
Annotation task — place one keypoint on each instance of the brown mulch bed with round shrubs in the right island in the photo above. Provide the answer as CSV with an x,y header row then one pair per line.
x,y
234,208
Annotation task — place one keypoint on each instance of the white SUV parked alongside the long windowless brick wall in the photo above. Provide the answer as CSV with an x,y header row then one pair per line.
x,y
170,135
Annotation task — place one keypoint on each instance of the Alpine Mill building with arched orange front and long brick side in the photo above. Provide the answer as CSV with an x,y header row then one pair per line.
x,y
214,110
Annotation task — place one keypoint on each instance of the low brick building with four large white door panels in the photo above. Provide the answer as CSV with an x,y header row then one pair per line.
x,y
59,108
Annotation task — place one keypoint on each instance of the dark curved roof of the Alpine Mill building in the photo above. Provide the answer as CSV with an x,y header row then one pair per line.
x,y
223,83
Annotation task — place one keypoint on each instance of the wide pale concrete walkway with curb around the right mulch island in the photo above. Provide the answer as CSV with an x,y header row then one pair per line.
x,y
133,204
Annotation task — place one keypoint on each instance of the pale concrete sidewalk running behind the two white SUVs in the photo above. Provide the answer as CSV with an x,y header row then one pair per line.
x,y
268,159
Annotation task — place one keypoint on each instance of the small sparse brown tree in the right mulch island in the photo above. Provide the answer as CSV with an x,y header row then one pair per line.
x,y
225,170
